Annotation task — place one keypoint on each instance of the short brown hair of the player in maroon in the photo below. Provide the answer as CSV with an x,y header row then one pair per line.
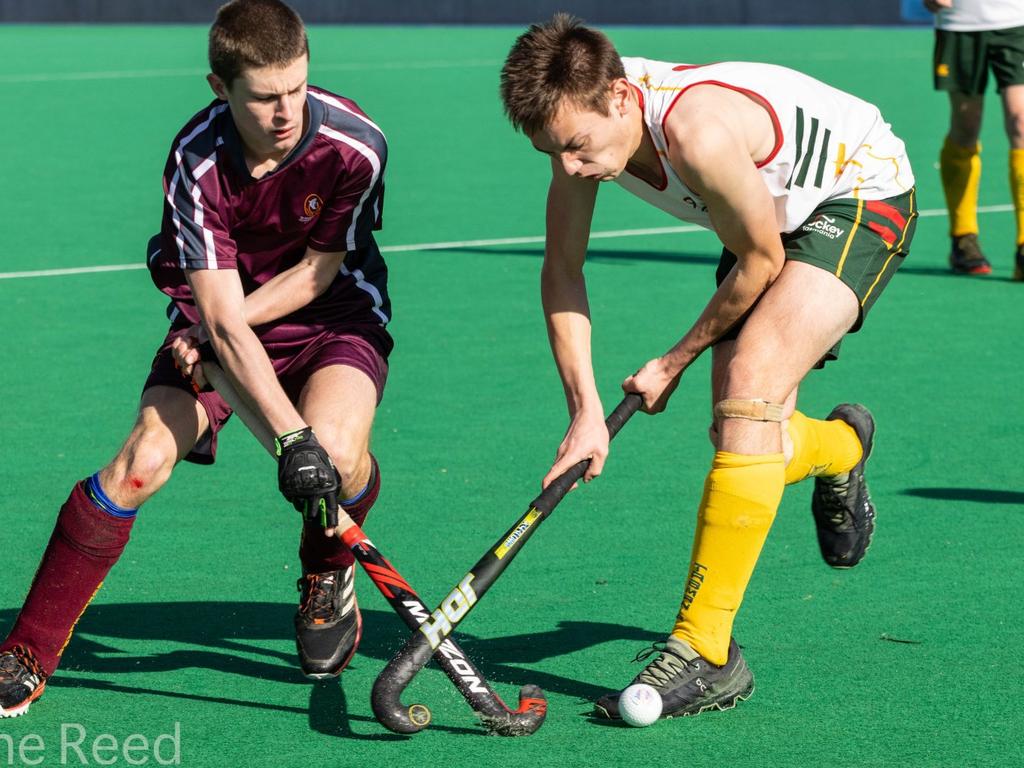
x,y
251,34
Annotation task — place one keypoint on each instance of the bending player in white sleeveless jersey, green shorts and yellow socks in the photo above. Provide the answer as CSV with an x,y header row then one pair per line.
x,y
813,198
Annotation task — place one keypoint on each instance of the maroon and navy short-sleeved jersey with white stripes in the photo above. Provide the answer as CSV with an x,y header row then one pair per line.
x,y
327,195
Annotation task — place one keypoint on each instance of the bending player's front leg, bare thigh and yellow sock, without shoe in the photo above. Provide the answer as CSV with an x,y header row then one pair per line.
x,y
800,318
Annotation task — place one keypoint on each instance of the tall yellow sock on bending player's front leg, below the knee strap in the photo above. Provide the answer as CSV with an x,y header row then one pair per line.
x,y
742,495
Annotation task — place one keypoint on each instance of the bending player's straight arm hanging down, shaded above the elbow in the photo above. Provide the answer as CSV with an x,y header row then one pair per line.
x,y
567,311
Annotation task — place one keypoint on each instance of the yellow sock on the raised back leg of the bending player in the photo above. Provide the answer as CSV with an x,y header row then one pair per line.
x,y
821,448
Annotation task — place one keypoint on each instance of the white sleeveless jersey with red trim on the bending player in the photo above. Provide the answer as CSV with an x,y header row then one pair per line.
x,y
829,145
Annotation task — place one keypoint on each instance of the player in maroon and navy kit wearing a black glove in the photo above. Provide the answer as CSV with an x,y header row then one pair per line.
x,y
267,251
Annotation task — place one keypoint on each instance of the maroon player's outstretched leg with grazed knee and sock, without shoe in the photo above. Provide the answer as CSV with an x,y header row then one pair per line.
x,y
95,524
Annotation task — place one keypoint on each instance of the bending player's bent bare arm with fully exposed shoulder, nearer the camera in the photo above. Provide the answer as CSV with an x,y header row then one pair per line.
x,y
715,142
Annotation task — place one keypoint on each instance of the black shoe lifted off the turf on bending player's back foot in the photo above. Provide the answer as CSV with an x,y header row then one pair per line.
x,y
842,507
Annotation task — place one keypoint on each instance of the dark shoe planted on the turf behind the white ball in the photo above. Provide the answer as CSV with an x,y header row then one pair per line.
x,y
689,684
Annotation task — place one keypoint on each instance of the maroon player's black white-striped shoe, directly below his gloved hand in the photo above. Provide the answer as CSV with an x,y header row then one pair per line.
x,y
328,625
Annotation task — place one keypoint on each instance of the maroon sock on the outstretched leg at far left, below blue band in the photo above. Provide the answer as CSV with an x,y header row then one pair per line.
x,y
86,543
